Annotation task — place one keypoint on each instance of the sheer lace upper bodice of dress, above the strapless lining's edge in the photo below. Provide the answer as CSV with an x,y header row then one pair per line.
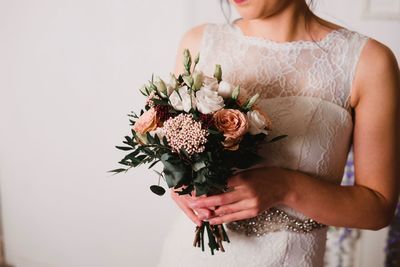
x,y
324,69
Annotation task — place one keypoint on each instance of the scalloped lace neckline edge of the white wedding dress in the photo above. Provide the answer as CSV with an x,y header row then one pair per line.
x,y
297,43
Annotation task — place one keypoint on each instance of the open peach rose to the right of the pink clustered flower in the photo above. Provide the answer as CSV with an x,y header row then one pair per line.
x,y
233,124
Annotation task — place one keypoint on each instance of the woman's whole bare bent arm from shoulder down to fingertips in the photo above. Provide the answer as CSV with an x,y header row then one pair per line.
x,y
370,203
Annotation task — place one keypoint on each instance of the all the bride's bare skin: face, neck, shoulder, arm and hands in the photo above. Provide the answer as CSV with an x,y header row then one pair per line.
x,y
371,202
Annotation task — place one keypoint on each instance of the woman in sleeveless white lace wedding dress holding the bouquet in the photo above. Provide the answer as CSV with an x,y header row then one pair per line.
x,y
325,86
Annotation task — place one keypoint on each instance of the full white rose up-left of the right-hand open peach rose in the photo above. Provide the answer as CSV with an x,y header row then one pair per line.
x,y
208,100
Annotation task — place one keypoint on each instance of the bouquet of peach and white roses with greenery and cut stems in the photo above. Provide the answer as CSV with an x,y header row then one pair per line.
x,y
201,129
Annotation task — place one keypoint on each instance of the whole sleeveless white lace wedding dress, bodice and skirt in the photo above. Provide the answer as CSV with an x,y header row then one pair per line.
x,y
305,88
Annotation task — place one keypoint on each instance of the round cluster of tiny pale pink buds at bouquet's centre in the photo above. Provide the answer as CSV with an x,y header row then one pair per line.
x,y
183,132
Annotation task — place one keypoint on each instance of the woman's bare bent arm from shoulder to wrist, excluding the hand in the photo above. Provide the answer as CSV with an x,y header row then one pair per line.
x,y
371,202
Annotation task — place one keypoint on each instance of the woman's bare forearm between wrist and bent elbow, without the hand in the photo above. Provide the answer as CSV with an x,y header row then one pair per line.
x,y
335,205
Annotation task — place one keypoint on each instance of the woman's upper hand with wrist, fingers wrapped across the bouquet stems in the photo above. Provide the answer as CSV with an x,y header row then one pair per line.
x,y
254,191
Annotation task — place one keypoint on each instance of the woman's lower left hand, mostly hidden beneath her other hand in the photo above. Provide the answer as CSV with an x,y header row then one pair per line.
x,y
183,202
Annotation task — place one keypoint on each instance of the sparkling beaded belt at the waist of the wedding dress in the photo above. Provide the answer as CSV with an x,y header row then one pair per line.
x,y
273,220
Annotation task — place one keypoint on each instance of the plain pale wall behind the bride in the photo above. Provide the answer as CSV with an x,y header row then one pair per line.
x,y
69,73
